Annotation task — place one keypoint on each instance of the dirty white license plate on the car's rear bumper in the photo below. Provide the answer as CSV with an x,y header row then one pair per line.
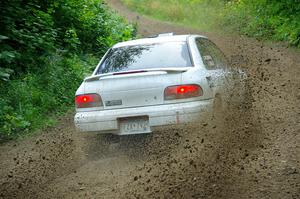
x,y
134,125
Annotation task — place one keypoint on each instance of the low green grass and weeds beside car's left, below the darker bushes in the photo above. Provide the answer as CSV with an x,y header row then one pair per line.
x,y
35,101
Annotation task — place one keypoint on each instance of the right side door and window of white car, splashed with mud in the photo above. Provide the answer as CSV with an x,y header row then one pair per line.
x,y
214,62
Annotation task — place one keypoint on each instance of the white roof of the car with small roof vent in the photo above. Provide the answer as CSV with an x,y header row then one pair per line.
x,y
157,39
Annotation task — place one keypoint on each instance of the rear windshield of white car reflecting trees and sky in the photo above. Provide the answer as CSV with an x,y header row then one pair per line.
x,y
158,55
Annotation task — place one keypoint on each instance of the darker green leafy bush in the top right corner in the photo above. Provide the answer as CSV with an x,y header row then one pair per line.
x,y
272,19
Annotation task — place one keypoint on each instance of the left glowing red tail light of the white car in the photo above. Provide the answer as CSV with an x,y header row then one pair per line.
x,y
88,101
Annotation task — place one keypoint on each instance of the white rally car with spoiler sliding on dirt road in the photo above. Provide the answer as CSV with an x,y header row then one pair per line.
x,y
150,82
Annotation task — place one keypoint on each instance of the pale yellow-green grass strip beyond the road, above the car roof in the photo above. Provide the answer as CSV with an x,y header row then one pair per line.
x,y
203,16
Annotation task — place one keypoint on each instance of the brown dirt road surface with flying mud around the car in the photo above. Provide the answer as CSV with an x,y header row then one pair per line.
x,y
252,151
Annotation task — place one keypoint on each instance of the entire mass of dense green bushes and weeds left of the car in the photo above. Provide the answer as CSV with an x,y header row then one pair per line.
x,y
46,48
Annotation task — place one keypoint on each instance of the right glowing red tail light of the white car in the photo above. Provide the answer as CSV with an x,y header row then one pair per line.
x,y
183,91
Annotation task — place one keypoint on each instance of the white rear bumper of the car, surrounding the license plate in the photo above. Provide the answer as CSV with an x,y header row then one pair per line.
x,y
107,121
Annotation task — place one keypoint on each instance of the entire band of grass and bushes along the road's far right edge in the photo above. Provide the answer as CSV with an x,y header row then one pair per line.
x,y
266,19
